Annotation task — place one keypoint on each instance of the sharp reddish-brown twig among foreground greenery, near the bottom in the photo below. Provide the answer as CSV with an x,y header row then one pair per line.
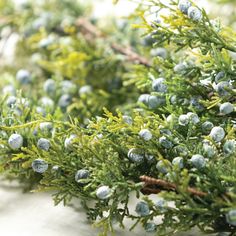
x,y
166,185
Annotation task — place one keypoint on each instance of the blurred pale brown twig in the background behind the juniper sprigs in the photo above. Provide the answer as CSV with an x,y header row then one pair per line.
x,y
92,31
